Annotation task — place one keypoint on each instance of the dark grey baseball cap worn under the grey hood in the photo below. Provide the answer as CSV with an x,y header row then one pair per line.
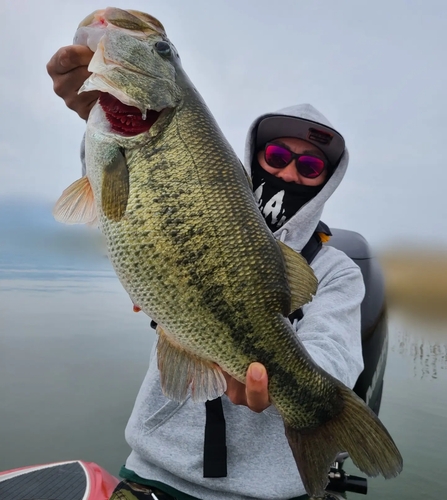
x,y
328,140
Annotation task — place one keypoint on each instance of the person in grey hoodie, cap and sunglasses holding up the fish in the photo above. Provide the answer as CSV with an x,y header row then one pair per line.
x,y
296,160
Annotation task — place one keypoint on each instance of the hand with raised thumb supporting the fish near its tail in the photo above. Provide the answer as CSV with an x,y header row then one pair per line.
x,y
254,393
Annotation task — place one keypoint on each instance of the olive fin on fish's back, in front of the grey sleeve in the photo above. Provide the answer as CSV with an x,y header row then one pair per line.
x,y
302,280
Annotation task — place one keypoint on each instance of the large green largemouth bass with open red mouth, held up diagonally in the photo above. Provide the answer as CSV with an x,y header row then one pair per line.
x,y
190,247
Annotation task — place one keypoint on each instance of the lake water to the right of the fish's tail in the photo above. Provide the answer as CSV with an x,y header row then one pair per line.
x,y
414,409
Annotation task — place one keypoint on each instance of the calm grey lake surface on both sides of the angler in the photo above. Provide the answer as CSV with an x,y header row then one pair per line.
x,y
73,354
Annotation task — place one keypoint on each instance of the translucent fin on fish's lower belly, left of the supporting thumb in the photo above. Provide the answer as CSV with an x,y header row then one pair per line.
x,y
179,369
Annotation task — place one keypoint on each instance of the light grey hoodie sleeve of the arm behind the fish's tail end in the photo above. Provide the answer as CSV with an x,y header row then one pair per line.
x,y
330,329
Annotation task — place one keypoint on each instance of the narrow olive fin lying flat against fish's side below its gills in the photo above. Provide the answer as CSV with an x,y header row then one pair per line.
x,y
115,187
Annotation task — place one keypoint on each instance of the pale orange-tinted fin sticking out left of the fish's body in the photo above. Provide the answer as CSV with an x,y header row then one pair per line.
x,y
76,204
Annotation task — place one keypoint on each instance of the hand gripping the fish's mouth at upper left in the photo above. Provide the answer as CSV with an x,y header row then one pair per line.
x,y
68,70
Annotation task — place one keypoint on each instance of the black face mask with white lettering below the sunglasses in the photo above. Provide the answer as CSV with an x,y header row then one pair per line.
x,y
277,199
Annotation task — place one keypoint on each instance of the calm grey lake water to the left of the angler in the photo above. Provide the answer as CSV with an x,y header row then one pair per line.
x,y
72,356
